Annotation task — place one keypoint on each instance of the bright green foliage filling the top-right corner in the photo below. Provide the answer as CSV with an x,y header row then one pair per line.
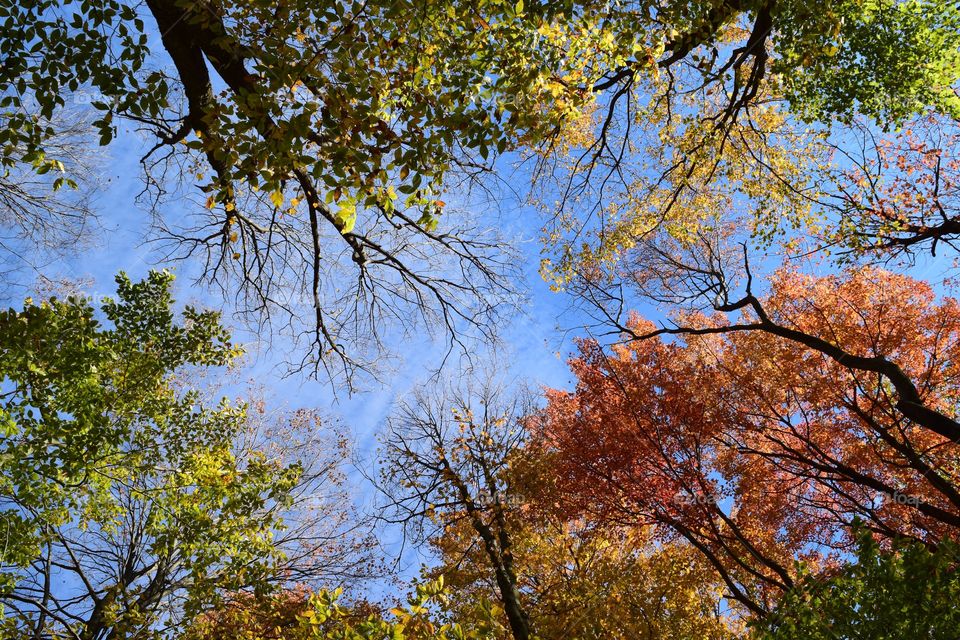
x,y
886,59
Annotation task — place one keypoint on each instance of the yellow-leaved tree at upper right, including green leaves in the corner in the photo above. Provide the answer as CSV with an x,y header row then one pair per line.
x,y
734,111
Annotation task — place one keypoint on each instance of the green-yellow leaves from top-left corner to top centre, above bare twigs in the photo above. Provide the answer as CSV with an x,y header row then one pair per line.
x,y
370,99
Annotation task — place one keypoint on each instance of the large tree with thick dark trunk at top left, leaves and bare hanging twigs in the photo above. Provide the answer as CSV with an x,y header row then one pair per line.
x,y
349,115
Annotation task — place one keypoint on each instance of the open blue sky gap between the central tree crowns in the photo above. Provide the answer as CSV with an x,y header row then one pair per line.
x,y
536,341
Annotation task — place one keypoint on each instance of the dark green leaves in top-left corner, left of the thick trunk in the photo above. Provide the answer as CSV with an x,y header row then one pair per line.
x,y
50,51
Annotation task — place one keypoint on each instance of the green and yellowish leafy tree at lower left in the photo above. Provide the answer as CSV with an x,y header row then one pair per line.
x,y
129,503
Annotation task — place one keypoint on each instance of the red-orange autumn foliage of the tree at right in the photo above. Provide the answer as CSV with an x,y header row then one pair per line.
x,y
758,450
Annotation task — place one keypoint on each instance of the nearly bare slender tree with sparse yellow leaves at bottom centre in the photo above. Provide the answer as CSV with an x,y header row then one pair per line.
x,y
446,458
